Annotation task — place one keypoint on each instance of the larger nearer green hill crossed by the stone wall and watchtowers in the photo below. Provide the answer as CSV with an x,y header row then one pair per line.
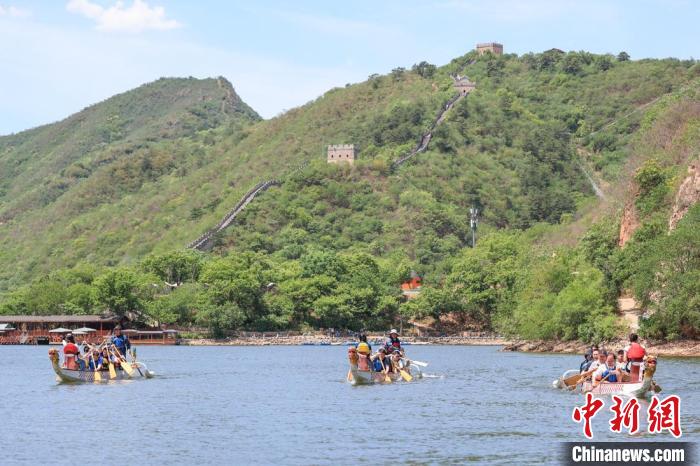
x,y
338,239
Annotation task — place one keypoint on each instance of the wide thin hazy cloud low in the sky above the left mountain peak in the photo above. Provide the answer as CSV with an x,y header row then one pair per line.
x,y
84,67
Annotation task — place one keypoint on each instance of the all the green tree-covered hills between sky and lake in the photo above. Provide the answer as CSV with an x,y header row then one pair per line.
x,y
330,246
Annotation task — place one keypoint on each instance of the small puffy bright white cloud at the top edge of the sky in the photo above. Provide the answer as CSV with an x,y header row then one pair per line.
x,y
140,16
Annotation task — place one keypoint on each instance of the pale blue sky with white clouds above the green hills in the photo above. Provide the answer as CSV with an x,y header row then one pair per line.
x,y
59,56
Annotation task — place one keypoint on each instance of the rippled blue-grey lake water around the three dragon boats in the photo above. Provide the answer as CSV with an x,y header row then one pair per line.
x,y
290,405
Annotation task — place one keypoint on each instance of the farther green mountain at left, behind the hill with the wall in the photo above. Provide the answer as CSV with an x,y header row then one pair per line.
x,y
60,184
